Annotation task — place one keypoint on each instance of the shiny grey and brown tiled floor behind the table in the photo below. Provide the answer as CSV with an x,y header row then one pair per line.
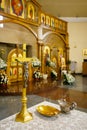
x,y
53,90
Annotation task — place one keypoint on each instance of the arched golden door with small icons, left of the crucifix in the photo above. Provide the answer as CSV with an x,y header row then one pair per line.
x,y
14,68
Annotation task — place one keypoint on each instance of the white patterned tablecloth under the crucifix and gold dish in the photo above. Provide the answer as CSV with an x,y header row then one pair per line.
x,y
75,120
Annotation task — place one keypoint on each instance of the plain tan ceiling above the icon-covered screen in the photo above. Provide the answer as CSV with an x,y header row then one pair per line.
x,y
65,8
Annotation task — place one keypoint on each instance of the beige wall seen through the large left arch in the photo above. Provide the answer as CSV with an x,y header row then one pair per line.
x,y
12,36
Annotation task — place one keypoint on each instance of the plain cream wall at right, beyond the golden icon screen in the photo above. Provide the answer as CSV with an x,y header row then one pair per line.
x,y
78,42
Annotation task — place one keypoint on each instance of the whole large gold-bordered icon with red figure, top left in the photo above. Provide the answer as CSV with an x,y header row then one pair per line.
x,y
17,8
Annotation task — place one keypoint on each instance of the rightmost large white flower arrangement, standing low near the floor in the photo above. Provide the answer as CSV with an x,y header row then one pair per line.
x,y
68,79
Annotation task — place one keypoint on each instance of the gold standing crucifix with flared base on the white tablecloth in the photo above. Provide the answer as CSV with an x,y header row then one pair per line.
x,y
24,115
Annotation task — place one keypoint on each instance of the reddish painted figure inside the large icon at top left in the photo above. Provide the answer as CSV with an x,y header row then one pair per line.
x,y
17,7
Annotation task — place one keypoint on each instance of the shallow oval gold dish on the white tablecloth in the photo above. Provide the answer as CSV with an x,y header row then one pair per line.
x,y
47,110
